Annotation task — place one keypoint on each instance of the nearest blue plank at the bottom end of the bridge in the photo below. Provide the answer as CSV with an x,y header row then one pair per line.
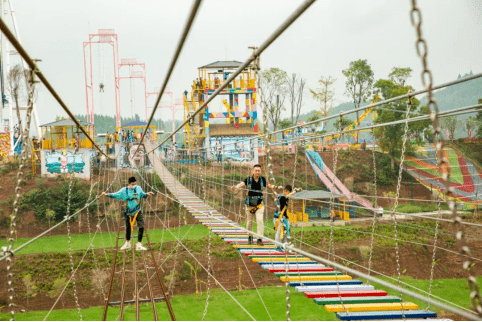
x,y
378,315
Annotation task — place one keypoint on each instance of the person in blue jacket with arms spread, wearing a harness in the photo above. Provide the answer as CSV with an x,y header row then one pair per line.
x,y
131,195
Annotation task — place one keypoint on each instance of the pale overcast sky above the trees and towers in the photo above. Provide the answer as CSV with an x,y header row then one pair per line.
x,y
322,42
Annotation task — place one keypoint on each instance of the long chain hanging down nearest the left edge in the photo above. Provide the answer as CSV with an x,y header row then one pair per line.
x,y
18,188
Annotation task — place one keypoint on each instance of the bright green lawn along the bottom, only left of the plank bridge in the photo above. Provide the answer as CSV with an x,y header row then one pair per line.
x,y
190,308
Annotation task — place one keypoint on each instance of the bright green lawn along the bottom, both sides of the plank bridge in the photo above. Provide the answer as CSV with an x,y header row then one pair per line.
x,y
222,307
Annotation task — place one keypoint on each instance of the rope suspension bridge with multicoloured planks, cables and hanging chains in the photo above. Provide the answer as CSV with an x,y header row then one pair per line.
x,y
329,283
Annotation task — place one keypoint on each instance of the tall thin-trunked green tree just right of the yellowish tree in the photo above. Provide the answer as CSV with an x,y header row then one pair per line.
x,y
359,83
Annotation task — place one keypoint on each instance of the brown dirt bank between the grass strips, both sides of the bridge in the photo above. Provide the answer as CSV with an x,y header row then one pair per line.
x,y
227,266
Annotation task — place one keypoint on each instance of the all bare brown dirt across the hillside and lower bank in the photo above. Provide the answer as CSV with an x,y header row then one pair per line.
x,y
227,267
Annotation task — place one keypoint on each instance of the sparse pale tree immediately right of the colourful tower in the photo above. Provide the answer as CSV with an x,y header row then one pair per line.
x,y
274,91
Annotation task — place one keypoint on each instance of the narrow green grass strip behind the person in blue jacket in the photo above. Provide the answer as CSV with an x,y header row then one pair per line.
x,y
59,243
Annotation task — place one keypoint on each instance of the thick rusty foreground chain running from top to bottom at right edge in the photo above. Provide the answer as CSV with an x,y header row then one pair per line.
x,y
443,164
